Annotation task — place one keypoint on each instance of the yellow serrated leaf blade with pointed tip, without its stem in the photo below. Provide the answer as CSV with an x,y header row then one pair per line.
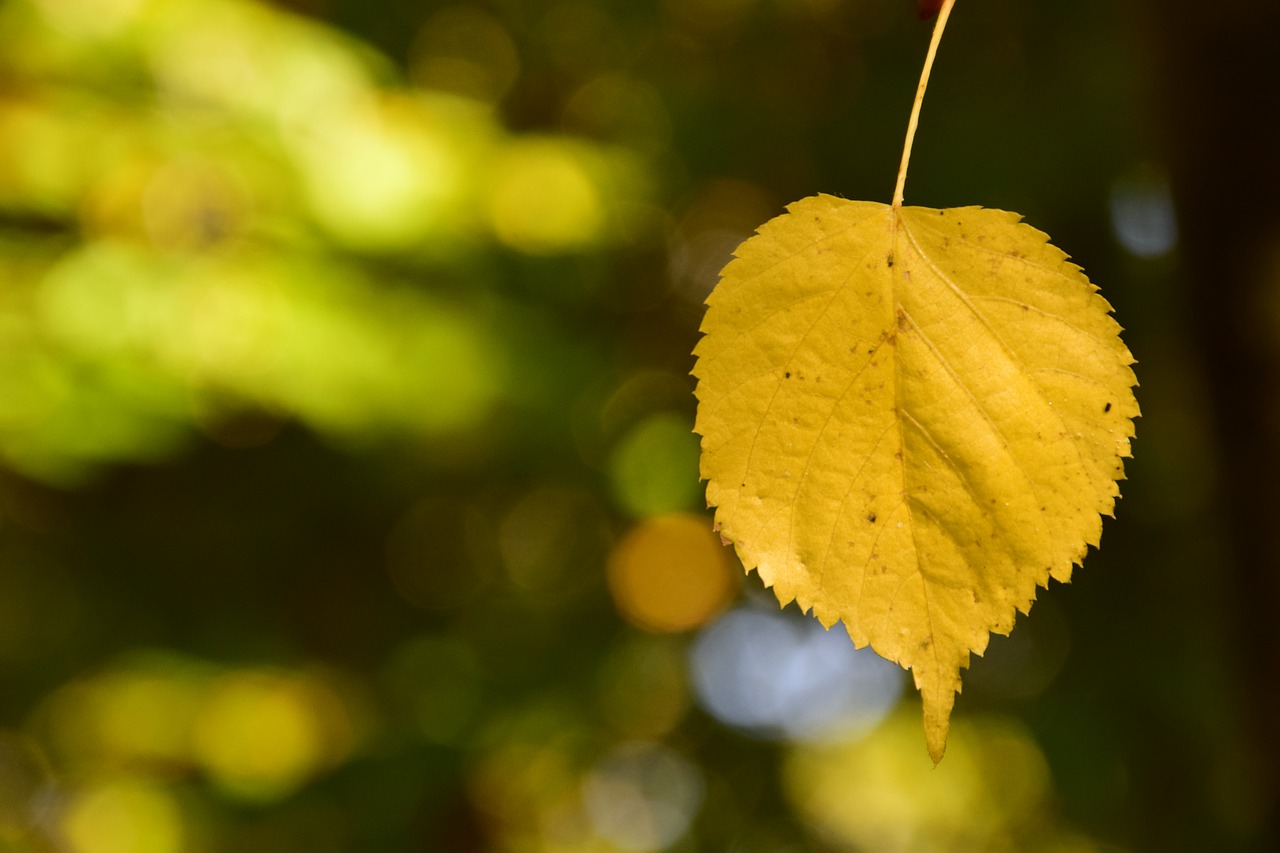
x,y
911,419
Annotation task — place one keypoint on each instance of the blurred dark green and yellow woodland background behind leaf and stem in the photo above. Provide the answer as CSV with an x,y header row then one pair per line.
x,y
349,496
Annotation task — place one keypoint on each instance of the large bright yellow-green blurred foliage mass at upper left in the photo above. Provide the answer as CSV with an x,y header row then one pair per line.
x,y
216,197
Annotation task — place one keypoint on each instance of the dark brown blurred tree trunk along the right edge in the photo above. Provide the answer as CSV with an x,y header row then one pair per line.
x,y
1220,86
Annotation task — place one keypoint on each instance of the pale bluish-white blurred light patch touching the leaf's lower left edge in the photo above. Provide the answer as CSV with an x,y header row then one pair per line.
x,y
780,676
